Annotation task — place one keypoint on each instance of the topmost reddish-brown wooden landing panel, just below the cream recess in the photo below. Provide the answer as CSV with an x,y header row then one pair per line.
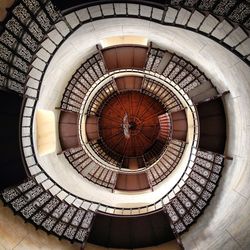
x,y
125,56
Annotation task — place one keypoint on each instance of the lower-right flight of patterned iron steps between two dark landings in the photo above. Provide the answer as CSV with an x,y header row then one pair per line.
x,y
197,190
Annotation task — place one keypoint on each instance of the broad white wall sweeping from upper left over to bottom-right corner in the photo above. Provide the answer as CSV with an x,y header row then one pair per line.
x,y
225,223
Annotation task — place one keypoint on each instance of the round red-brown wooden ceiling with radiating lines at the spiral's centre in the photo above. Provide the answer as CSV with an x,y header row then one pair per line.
x,y
142,112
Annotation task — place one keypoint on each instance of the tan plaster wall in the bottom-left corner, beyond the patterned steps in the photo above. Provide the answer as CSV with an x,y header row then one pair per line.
x,y
15,234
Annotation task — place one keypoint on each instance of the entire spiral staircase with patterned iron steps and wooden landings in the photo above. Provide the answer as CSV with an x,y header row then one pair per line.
x,y
190,124
